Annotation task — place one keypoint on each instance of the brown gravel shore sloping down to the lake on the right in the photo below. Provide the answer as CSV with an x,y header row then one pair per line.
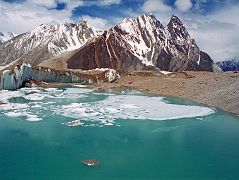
x,y
218,90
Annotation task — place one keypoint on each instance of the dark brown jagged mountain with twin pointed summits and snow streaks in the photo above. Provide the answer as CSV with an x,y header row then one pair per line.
x,y
143,43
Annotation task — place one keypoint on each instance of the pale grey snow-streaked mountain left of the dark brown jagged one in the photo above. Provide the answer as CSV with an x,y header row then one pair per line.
x,y
46,41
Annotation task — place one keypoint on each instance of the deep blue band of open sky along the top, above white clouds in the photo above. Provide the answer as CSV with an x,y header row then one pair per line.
x,y
117,8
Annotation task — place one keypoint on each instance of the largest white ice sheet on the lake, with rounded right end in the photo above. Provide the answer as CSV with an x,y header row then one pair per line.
x,y
132,107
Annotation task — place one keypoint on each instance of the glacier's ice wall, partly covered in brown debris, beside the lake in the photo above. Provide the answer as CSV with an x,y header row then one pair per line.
x,y
12,79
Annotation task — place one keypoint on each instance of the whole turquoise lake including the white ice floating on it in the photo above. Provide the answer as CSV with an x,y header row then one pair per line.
x,y
141,139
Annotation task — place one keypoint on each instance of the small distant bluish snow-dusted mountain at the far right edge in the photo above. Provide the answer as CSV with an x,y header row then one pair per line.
x,y
229,65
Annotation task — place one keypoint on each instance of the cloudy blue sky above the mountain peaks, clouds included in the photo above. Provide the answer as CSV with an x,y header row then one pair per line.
x,y
213,23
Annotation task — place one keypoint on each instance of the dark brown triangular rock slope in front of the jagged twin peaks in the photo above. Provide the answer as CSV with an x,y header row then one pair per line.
x,y
104,52
